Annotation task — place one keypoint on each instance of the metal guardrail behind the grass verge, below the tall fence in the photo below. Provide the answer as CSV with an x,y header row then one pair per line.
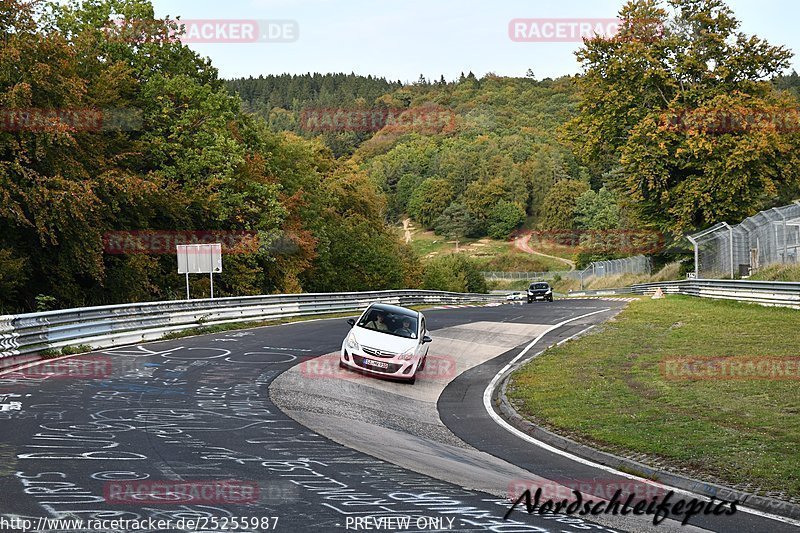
x,y
773,293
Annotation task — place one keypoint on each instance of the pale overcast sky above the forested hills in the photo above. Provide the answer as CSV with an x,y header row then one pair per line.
x,y
401,39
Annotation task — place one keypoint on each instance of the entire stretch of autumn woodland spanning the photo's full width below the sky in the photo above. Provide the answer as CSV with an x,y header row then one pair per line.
x,y
678,122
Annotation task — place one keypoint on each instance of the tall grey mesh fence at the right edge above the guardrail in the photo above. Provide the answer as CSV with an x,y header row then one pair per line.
x,y
770,237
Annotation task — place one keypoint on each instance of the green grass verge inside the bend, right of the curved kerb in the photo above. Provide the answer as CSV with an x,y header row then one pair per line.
x,y
607,389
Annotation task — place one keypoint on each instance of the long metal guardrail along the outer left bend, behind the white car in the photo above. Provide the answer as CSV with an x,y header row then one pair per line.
x,y
114,325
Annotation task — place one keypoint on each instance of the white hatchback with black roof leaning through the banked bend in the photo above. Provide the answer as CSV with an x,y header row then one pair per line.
x,y
388,341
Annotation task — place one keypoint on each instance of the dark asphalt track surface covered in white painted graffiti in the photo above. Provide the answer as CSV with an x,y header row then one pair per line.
x,y
198,410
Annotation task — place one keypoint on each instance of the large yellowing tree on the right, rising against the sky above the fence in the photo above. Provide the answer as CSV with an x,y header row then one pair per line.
x,y
654,98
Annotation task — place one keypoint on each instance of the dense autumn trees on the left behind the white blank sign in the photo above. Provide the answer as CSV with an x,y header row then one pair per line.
x,y
190,159
